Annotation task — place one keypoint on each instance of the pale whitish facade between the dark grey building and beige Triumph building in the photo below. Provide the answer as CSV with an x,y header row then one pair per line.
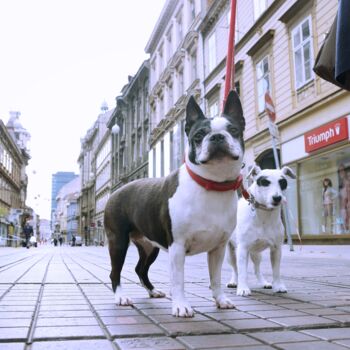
x,y
175,74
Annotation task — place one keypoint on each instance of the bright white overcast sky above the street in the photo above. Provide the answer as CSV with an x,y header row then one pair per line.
x,y
59,60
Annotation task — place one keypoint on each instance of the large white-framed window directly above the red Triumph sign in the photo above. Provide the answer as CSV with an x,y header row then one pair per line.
x,y
302,52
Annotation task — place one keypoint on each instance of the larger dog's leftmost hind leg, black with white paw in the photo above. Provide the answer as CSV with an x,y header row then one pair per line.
x,y
118,246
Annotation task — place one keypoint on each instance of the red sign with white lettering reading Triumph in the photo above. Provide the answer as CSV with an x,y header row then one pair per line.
x,y
326,135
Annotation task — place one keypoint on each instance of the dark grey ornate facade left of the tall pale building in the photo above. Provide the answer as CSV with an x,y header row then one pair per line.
x,y
129,153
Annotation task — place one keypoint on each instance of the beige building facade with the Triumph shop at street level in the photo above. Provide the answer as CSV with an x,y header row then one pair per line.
x,y
276,44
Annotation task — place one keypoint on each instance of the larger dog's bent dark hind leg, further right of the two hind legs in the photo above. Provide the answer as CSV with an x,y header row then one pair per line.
x,y
148,255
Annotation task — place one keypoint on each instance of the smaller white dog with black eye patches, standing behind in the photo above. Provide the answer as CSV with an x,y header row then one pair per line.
x,y
259,226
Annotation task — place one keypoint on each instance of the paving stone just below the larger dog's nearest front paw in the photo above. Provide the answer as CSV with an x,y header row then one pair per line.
x,y
193,327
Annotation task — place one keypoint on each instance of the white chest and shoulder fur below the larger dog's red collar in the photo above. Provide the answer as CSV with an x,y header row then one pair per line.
x,y
201,219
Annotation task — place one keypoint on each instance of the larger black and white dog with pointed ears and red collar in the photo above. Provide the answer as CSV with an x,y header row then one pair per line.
x,y
192,210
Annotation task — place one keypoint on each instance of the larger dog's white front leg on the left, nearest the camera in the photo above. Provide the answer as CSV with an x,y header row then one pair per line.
x,y
180,306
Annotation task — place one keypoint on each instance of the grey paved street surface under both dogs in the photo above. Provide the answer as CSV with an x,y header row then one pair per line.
x,y
61,298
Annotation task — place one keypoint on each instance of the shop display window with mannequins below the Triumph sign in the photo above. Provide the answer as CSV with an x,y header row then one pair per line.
x,y
324,194
